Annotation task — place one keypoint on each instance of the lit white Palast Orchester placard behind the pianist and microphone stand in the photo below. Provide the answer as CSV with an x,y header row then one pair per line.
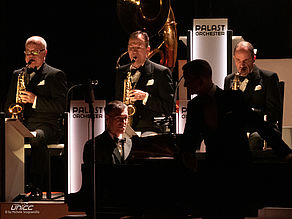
x,y
79,131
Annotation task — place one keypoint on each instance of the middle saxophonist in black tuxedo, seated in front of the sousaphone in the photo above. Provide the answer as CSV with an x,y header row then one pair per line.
x,y
152,85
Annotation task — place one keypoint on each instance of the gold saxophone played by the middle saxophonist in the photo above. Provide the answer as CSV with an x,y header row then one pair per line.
x,y
127,89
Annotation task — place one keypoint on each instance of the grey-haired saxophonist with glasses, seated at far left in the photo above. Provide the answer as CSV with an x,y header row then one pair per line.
x,y
44,102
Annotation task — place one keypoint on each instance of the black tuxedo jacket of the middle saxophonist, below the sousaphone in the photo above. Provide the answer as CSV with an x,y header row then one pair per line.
x,y
157,81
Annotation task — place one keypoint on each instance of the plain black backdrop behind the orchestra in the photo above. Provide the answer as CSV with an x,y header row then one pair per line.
x,y
85,38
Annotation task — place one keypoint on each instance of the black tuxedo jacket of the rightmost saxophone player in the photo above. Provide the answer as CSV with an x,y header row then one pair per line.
x,y
262,93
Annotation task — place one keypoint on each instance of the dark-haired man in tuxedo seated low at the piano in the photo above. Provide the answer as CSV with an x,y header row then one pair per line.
x,y
110,149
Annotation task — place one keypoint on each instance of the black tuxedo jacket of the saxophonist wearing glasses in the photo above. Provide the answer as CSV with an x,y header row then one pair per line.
x,y
50,86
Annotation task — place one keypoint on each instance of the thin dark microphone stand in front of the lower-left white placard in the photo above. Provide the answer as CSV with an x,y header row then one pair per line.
x,y
89,98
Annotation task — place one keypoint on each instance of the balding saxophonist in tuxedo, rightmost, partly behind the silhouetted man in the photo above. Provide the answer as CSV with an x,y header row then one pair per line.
x,y
260,89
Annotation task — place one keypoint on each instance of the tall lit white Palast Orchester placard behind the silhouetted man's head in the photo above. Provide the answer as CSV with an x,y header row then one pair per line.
x,y
210,43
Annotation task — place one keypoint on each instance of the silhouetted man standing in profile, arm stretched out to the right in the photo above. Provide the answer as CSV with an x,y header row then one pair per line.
x,y
221,118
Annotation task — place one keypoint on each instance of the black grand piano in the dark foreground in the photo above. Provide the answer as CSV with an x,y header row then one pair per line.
x,y
154,180
